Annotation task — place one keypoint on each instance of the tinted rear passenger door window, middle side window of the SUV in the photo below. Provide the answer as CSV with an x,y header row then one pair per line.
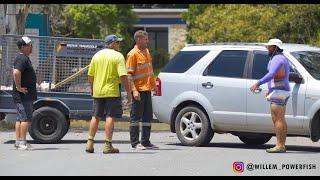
x,y
228,64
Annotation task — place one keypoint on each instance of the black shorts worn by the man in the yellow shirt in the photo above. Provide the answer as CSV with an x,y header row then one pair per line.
x,y
107,107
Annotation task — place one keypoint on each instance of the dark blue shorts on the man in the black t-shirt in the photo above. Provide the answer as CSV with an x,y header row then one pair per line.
x,y
24,111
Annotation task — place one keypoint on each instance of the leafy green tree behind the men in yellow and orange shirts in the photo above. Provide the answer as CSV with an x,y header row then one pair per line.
x,y
98,20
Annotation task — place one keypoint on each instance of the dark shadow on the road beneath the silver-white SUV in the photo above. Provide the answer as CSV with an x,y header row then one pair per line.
x,y
290,148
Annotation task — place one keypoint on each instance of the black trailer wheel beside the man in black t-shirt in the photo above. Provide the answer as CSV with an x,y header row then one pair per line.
x,y
49,125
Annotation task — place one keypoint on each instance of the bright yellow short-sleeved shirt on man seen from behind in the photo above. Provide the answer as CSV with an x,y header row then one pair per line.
x,y
107,66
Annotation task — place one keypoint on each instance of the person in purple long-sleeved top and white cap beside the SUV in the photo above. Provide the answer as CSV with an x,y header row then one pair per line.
x,y
277,79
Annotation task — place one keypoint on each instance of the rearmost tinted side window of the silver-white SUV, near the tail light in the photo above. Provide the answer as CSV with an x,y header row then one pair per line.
x,y
183,61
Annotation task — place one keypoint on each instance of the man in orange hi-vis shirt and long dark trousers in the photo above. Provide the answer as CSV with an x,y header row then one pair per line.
x,y
140,72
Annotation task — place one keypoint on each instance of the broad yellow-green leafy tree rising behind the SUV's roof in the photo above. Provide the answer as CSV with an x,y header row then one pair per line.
x,y
253,23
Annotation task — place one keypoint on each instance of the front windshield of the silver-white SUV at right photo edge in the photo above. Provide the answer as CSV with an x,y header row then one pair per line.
x,y
310,60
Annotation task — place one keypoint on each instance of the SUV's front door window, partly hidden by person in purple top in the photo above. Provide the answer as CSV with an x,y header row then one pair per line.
x,y
260,64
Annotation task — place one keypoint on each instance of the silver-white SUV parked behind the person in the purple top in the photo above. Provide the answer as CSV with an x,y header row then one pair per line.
x,y
204,90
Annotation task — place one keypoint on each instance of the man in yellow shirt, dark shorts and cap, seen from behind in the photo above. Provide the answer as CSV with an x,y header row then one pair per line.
x,y
106,68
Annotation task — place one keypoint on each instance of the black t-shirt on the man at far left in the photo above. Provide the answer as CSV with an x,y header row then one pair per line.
x,y
28,79
